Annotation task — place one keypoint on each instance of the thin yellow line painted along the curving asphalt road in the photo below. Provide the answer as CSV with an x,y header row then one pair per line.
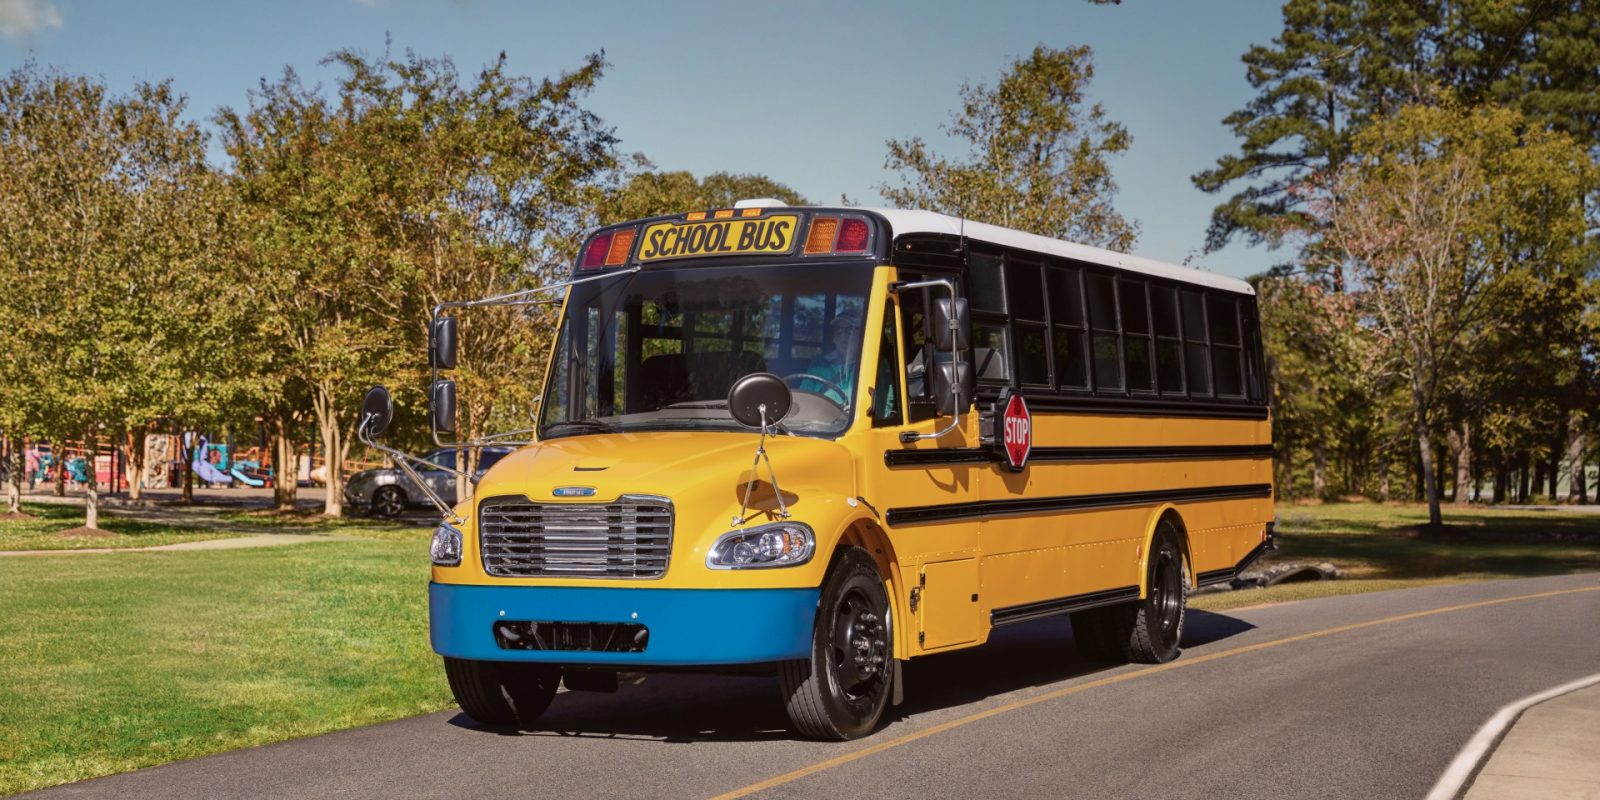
x,y
998,711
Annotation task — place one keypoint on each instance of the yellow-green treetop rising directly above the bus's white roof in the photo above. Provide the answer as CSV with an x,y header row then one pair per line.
x,y
1039,158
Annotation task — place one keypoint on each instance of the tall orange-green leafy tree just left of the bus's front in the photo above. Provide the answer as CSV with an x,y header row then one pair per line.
x,y
414,190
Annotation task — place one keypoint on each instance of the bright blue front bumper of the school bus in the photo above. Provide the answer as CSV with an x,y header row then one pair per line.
x,y
687,626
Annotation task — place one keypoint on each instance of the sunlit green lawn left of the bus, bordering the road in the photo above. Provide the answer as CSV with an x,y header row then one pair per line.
x,y
130,660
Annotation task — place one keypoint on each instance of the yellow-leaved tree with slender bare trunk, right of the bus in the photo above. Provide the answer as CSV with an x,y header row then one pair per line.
x,y
1438,215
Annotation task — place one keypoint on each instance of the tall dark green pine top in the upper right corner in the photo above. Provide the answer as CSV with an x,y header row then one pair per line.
x,y
1340,65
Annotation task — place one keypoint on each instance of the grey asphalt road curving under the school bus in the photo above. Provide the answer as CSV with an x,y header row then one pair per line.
x,y
1348,697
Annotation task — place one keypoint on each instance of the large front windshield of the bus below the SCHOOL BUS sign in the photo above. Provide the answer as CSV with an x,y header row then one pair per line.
x,y
660,350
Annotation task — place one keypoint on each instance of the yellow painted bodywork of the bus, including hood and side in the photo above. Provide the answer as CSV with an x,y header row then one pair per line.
x,y
844,492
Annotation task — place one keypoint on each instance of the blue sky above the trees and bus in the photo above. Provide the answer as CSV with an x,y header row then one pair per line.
x,y
804,92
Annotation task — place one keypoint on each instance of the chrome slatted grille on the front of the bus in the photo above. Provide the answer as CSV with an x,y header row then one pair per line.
x,y
628,538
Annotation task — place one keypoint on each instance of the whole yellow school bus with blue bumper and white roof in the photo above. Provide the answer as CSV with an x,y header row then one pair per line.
x,y
828,441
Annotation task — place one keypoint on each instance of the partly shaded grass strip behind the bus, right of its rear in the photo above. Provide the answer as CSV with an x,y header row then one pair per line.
x,y
1380,548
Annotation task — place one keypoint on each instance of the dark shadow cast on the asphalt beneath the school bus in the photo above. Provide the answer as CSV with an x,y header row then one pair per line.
x,y
686,708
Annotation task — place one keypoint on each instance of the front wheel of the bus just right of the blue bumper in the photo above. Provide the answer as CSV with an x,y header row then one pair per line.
x,y
841,692
